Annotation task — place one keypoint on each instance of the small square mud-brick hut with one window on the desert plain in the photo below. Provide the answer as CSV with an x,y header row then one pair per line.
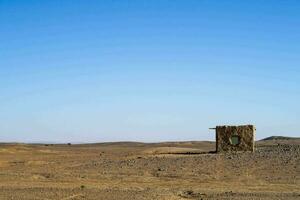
x,y
235,138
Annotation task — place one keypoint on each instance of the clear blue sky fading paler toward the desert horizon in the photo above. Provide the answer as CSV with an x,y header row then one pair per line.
x,y
147,70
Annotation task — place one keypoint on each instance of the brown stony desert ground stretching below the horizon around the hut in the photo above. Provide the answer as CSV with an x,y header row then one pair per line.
x,y
128,170
